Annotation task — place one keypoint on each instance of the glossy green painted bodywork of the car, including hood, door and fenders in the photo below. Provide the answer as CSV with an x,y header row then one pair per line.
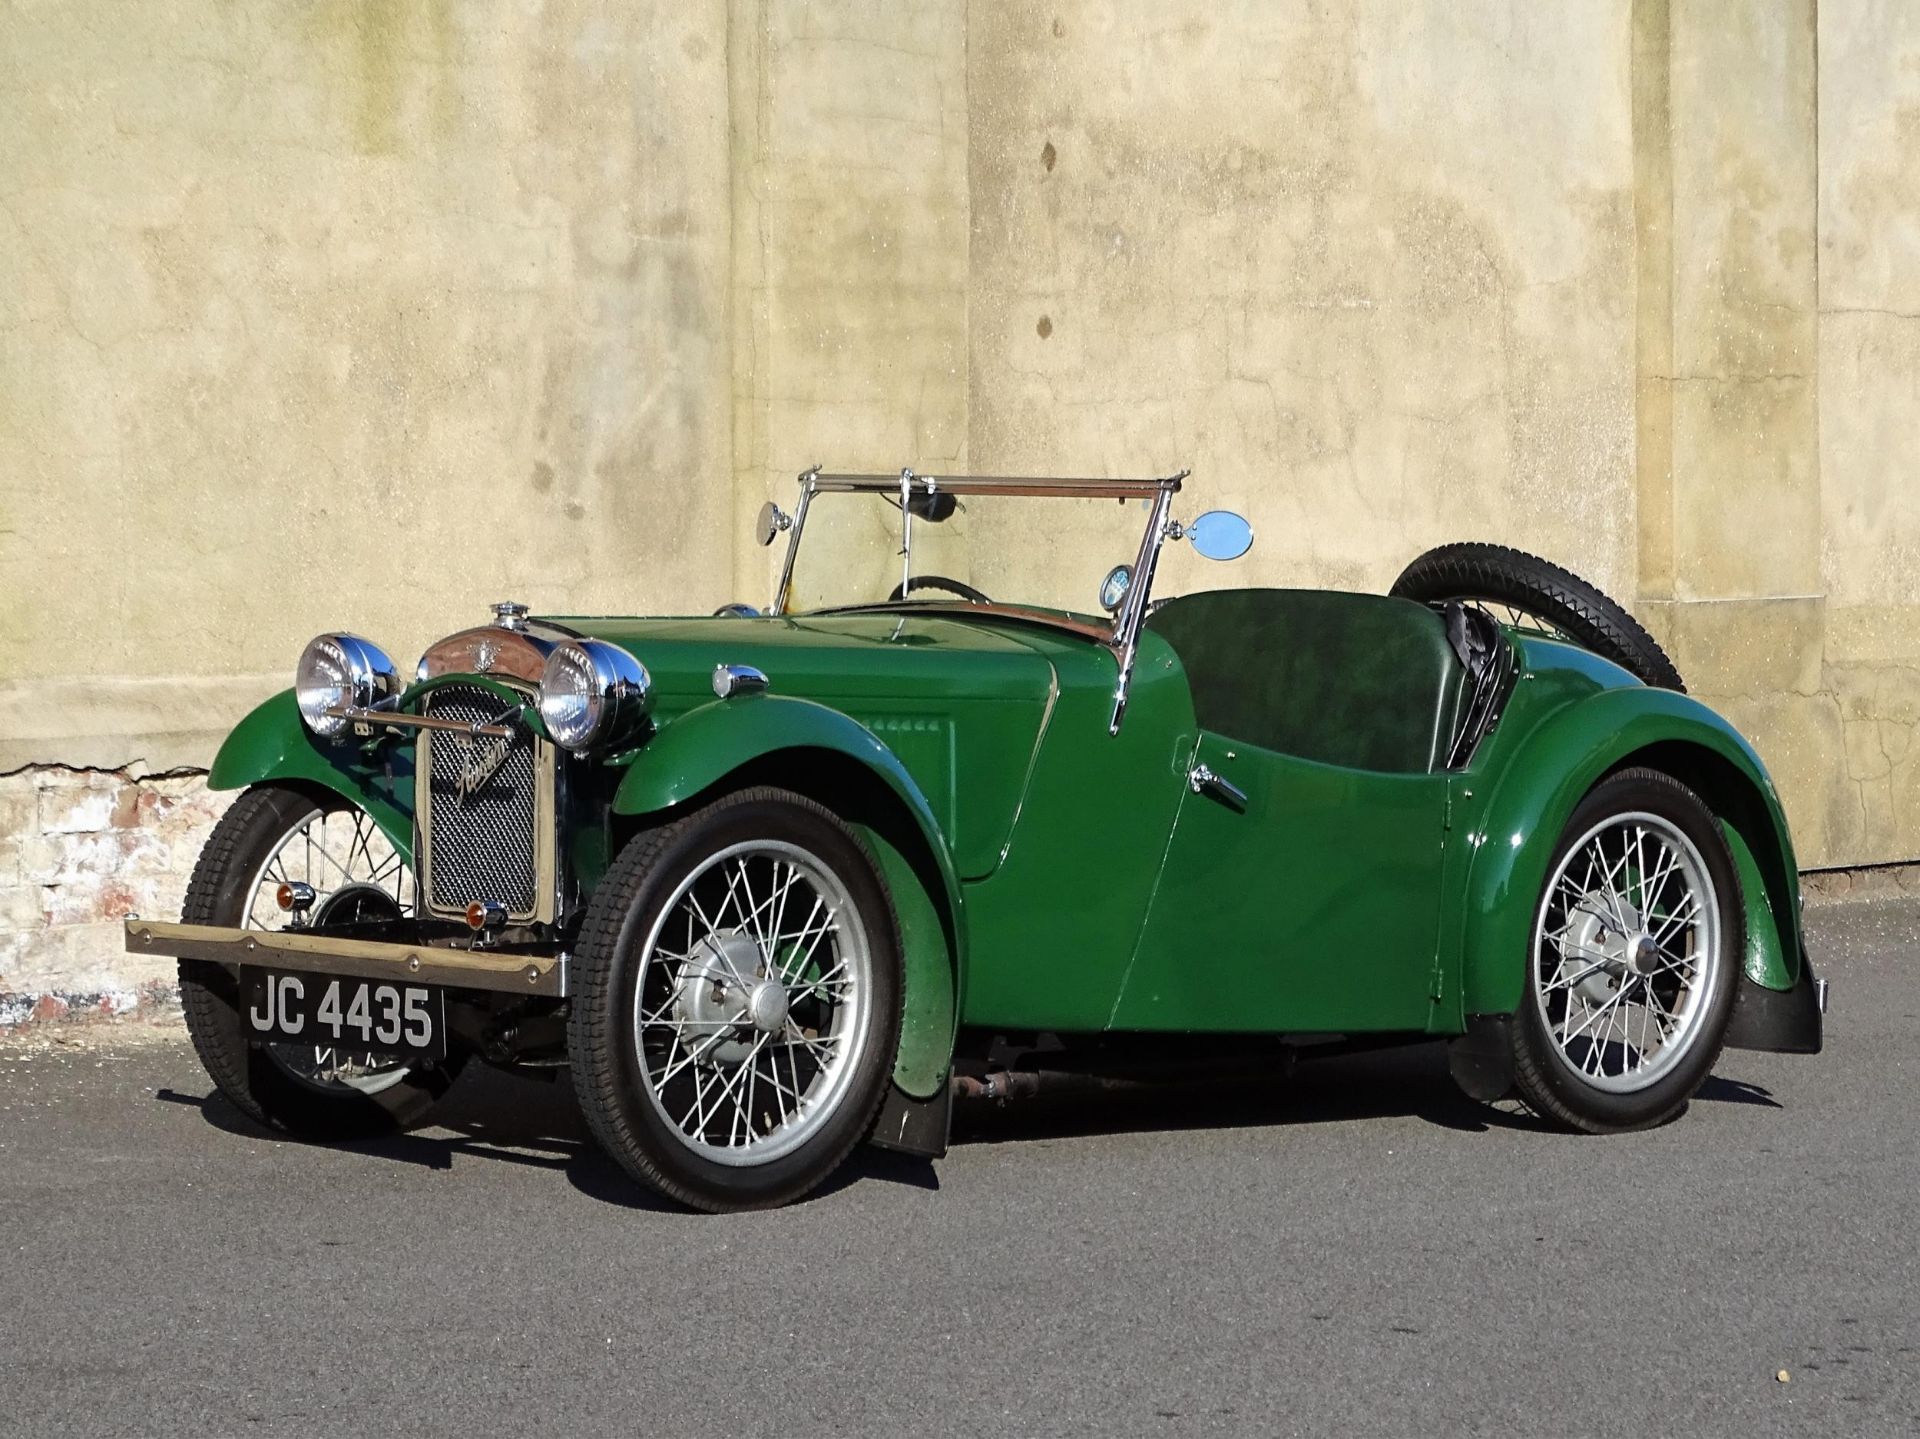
x,y
1049,875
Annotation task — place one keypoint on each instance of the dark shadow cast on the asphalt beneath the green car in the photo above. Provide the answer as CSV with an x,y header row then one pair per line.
x,y
516,1119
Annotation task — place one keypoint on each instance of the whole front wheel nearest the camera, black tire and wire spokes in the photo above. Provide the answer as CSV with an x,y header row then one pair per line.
x,y
736,1002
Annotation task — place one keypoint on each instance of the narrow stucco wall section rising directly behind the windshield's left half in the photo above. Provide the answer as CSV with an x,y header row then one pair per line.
x,y
852,247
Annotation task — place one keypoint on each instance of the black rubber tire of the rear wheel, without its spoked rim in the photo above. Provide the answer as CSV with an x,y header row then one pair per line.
x,y
1541,1077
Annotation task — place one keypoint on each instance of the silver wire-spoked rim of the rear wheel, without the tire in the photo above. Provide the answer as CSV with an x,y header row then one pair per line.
x,y
1627,952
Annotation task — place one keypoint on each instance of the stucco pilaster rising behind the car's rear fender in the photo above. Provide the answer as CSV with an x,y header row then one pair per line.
x,y
1729,481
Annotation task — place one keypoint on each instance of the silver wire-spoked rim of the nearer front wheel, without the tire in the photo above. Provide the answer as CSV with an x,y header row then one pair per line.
x,y
752,1008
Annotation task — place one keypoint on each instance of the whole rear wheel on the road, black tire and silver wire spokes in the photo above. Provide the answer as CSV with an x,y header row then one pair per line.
x,y
1635,954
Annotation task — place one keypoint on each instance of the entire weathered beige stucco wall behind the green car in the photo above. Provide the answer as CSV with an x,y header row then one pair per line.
x,y
364,314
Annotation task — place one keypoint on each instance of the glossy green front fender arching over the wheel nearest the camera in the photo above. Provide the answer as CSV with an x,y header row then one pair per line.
x,y
782,741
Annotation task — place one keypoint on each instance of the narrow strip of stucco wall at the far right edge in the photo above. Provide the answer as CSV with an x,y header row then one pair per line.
x,y
1869,420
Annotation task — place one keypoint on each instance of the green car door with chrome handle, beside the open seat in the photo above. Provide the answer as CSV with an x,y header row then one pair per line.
x,y
1308,908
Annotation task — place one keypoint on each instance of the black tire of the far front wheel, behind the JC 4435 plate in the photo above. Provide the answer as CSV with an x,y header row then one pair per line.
x,y
210,994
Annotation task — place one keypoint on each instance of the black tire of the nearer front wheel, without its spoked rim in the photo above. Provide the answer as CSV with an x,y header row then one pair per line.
x,y
600,1037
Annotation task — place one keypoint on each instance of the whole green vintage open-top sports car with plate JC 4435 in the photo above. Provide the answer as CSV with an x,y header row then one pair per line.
x,y
771,885
